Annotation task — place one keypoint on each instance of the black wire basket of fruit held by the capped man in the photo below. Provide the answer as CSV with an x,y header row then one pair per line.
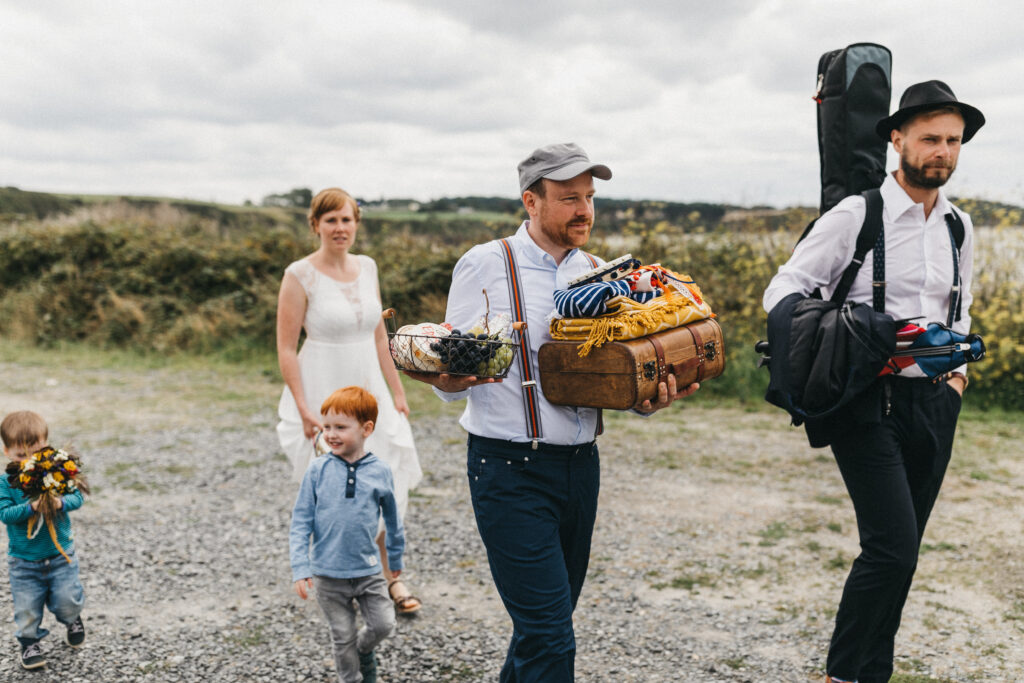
x,y
462,356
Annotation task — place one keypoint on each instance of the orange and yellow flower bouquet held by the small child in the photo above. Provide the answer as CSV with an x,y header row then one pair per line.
x,y
46,477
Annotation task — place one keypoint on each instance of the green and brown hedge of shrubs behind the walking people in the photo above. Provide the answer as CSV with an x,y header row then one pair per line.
x,y
195,288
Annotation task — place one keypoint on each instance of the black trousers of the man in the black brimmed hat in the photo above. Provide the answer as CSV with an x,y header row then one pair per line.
x,y
893,472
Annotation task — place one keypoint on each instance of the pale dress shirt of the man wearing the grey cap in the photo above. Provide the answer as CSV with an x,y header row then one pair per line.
x,y
496,410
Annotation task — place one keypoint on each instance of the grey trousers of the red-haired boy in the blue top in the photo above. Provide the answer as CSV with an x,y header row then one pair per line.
x,y
335,599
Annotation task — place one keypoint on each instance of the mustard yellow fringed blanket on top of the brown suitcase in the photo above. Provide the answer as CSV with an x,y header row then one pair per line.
x,y
681,305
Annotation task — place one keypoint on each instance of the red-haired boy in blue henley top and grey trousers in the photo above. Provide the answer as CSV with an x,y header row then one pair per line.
x,y
340,502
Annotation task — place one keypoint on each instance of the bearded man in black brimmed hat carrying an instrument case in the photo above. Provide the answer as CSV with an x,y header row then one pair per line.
x,y
893,450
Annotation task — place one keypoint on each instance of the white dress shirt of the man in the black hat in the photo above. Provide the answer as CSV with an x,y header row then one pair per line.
x,y
919,261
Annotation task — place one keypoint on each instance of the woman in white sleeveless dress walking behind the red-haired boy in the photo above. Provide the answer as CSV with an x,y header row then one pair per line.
x,y
335,296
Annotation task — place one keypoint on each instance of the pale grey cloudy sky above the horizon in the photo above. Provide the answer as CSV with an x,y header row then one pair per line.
x,y
702,101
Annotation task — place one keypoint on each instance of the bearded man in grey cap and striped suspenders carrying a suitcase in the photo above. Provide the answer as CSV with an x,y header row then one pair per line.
x,y
533,467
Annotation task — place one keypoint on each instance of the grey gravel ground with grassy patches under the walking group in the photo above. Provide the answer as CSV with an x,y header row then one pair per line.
x,y
721,546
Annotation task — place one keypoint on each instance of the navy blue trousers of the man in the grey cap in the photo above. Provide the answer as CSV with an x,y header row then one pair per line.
x,y
536,511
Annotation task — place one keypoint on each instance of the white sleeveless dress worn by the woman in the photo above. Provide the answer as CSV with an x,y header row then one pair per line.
x,y
339,351
